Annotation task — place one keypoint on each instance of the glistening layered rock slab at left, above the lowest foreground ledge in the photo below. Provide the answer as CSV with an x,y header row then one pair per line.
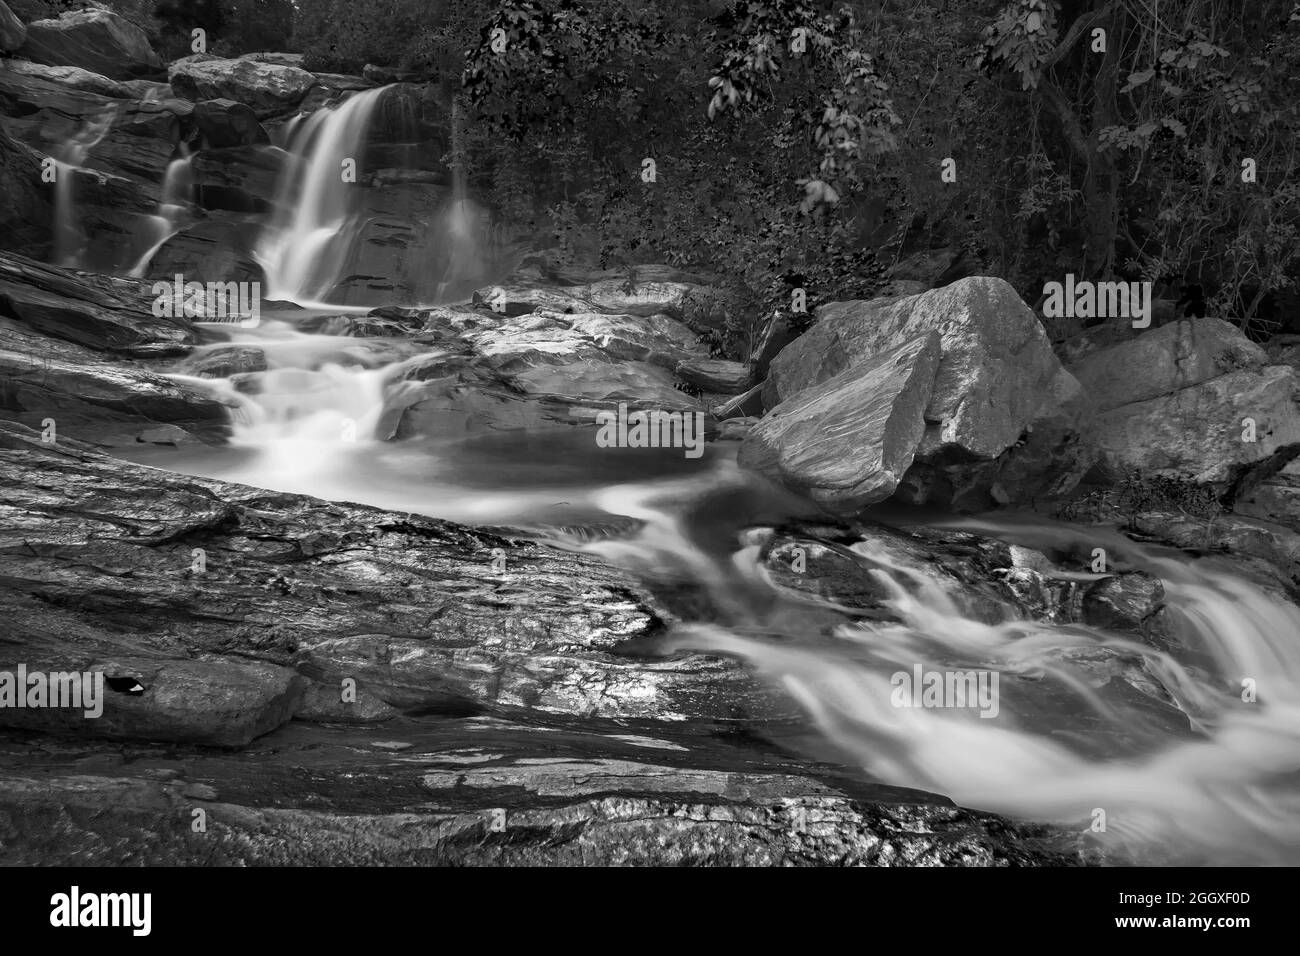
x,y
106,560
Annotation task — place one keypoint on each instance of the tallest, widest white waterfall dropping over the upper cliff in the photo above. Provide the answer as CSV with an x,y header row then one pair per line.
x,y
306,244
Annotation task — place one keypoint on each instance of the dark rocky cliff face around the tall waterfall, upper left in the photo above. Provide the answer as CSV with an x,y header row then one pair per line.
x,y
118,136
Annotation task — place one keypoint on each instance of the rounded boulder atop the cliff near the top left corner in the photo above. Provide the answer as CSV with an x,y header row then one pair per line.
x,y
97,40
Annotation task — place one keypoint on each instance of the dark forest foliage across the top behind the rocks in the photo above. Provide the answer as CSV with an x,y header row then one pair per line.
x,y
1110,155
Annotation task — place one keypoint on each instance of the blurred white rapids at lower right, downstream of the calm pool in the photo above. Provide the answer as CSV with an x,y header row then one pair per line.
x,y
1228,790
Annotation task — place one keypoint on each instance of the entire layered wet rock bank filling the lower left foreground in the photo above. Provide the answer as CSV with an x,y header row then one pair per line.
x,y
582,754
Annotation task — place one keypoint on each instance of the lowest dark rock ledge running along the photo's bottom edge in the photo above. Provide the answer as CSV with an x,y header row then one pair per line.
x,y
484,793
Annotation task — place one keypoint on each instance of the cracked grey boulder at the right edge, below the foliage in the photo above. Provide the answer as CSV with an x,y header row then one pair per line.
x,y
1193,400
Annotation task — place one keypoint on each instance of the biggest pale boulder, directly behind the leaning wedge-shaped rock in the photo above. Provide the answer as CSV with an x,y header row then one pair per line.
x,y
1002,414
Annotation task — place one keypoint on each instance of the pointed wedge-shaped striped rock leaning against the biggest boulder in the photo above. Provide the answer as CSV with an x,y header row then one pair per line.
x,y
847,442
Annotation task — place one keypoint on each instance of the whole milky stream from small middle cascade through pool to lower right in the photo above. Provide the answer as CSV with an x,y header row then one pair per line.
x,y
1225,786
